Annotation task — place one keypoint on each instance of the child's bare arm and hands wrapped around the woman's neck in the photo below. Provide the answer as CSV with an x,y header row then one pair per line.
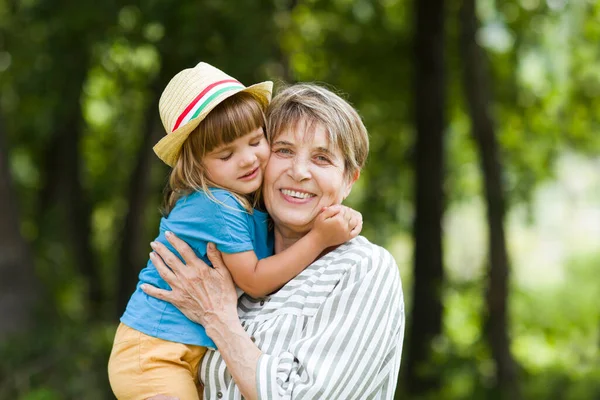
x,y
335,225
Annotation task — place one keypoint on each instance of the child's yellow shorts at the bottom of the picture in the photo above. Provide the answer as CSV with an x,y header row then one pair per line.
x,y
142,366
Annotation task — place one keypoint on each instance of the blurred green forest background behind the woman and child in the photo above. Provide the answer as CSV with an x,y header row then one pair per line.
x,y
483,178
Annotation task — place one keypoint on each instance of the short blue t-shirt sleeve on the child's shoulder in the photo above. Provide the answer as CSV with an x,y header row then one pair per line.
x,y
198,219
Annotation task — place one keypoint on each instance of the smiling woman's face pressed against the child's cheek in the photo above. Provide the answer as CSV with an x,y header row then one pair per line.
x,y
305,173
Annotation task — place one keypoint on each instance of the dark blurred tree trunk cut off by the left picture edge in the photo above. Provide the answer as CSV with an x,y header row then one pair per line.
x,y
18,286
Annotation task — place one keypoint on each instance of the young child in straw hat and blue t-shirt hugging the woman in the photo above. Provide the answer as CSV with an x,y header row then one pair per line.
x,y
217,147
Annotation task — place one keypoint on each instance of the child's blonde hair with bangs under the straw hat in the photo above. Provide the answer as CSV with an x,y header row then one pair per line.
x,y
233,118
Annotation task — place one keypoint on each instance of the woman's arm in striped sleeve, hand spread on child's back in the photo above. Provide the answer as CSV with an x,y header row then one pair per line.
x,y
350,349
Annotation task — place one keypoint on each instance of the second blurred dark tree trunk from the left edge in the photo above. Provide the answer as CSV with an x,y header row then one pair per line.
x,y
62,185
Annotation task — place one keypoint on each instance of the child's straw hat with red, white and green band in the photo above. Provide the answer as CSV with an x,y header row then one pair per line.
x,y
190,96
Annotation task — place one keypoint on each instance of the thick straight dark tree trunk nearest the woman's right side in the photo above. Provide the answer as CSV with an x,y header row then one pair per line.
x,y
427,308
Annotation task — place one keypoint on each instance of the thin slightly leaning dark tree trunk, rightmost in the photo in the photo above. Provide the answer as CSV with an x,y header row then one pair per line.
x,y
479,100
